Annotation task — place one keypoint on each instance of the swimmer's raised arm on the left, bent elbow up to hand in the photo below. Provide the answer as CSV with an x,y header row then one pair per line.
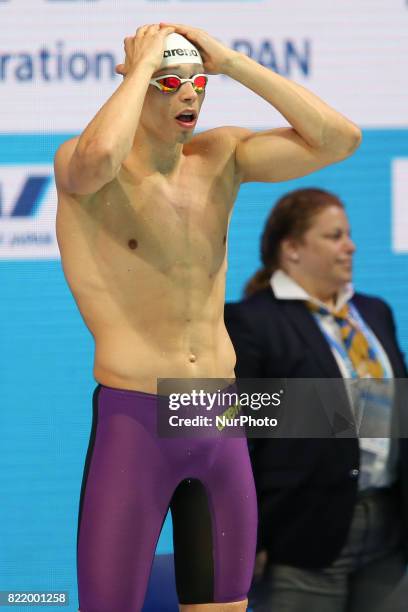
x,y
83,165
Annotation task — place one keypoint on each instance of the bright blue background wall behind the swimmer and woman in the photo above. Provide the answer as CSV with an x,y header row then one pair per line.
x,y
46,358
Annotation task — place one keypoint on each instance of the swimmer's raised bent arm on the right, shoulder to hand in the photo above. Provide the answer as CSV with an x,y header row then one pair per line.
x,y
319,135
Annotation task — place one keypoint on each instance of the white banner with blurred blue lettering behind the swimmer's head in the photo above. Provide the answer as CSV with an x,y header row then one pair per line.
x,y
57,57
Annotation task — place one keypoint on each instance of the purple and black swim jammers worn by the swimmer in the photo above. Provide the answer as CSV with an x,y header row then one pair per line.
x,y
131,478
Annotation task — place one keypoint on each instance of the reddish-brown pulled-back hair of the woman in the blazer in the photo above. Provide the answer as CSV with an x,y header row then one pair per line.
x,y
291,217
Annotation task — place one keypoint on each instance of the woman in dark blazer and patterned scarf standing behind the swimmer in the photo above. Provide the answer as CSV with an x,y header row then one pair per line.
x,y
333,512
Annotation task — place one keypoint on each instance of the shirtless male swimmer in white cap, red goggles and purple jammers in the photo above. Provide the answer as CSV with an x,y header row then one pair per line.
x,y
142,222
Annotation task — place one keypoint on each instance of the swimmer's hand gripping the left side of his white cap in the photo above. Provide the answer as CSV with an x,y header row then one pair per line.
x,y
146,47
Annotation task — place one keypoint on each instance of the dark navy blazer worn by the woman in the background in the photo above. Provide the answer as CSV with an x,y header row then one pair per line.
x,y
306,487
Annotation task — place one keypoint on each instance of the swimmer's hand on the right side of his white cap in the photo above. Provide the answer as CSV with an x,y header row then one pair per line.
x,y
216,56
